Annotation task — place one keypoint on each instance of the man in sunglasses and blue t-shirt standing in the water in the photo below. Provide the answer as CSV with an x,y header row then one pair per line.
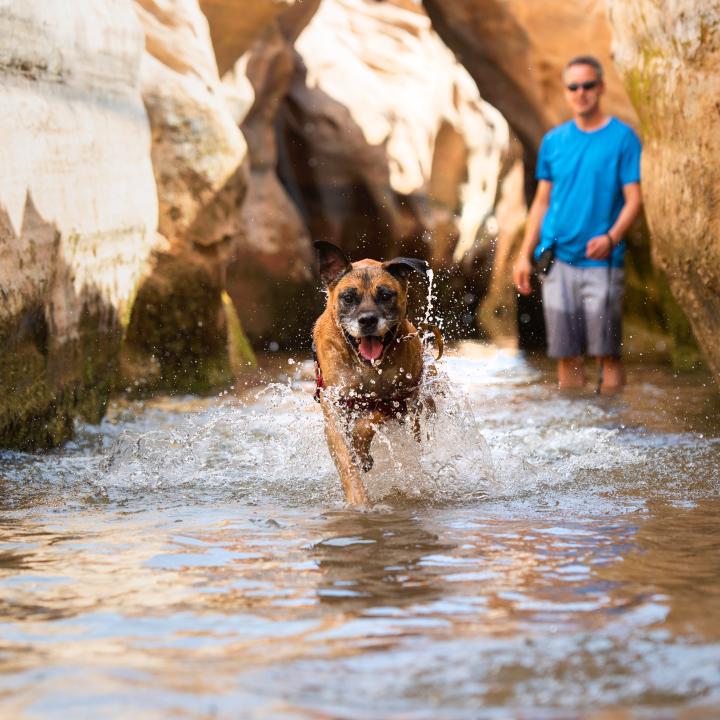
x,y
588,195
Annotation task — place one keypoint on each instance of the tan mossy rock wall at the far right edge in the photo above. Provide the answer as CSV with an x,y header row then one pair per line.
x,y
669,57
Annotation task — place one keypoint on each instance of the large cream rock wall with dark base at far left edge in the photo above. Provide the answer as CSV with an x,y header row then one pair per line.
x,y
78,208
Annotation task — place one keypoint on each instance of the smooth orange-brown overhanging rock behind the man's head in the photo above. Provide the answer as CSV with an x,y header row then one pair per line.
x,y
516,50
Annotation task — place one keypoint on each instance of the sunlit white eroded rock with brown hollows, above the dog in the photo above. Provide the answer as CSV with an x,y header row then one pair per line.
x,y
390,148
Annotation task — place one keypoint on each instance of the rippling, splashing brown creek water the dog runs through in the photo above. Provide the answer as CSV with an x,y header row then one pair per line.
x,y
540,556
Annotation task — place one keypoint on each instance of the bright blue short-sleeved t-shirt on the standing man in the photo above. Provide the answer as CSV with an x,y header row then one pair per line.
x,y
588,171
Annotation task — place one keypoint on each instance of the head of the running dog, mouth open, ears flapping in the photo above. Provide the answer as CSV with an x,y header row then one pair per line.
x,y
368,298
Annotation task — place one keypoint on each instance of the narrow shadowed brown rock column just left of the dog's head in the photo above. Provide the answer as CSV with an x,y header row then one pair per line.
x,y
270,280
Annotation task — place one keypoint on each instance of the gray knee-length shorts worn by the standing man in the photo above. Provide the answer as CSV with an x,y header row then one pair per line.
x,y
580,318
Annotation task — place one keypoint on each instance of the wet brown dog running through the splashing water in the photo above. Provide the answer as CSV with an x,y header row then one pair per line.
x,y
369,359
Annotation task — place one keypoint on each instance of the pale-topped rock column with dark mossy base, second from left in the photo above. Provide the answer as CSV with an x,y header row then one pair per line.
x,y
199,159
